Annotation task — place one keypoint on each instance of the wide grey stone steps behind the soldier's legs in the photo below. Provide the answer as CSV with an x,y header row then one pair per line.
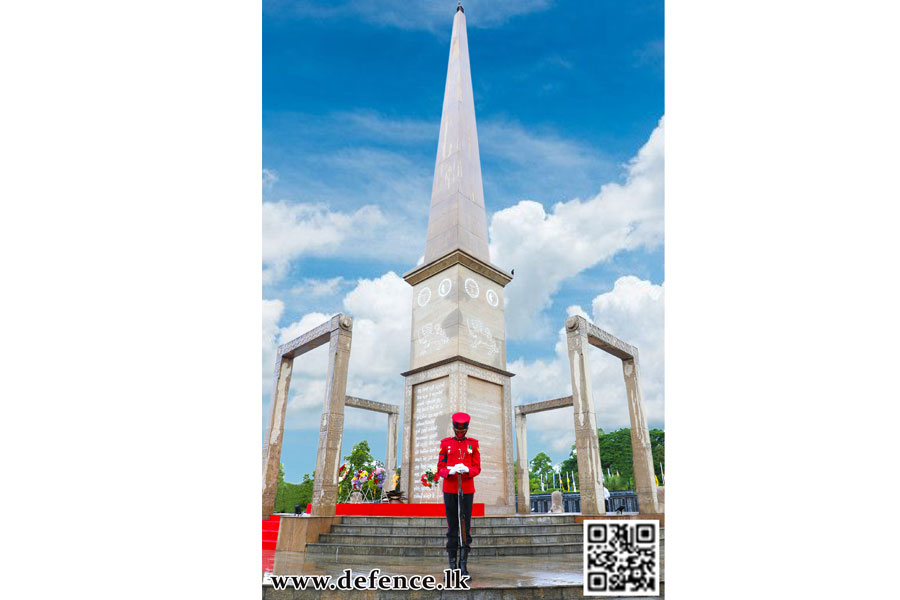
x,y
425,537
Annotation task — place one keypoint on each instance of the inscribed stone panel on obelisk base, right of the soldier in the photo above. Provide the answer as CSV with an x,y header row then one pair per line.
x,y
485,405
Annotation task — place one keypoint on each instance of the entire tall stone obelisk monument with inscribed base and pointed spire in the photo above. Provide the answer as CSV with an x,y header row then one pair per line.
x,y
458,346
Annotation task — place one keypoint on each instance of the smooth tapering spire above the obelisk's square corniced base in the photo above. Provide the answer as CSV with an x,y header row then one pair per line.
x,y
456,220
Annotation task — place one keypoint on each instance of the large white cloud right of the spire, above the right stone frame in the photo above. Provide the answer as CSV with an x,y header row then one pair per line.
x,y
547,248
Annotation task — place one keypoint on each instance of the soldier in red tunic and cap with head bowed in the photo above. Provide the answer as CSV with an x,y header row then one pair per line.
x,y
459,454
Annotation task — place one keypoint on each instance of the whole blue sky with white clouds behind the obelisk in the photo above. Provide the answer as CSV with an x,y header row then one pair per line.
x,y
569,107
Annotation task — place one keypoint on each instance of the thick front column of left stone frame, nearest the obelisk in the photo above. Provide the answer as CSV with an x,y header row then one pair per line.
x,y
331,430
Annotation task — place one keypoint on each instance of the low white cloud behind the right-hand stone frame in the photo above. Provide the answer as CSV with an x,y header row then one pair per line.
x,y
633,312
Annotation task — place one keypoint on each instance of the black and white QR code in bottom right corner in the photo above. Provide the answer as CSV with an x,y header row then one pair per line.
x,y
621,558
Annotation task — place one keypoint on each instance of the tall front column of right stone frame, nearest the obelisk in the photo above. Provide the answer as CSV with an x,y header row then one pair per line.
x,y
590,471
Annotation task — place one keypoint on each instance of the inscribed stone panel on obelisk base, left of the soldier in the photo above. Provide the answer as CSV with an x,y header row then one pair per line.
x,y
431,419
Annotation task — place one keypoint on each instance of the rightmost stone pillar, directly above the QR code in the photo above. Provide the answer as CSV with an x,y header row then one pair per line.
x,y
644,482
